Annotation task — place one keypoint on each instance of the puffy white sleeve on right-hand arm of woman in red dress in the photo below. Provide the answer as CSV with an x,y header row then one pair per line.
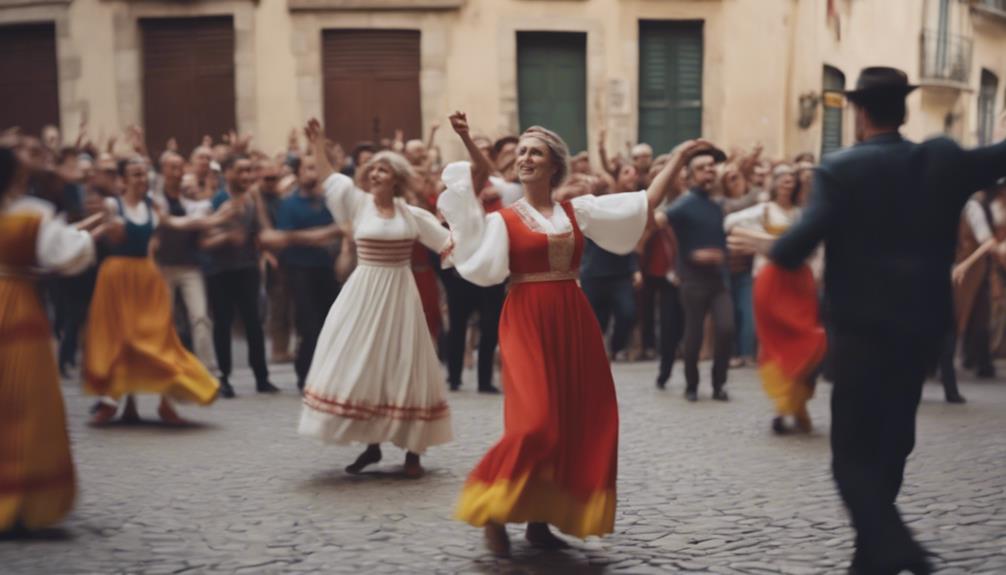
x,y
615,222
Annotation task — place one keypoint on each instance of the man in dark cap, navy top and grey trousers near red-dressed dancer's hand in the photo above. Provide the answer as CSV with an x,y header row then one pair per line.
x,y
698,222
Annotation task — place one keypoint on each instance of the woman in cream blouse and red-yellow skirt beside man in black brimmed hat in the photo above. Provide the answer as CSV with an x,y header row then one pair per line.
x,y
792,340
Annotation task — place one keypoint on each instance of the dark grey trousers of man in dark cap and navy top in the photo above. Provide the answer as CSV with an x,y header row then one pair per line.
x,y
700,300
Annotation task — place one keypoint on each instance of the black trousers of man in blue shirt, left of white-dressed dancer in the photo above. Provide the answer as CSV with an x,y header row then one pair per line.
x,y
314,290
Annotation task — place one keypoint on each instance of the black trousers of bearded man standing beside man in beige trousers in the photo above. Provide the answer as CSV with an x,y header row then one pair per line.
x,y
232,291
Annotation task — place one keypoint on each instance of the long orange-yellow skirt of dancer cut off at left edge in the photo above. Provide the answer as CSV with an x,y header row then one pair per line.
x,y
37,471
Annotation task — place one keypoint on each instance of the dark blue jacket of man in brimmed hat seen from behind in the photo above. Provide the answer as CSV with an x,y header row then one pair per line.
x,y
888,211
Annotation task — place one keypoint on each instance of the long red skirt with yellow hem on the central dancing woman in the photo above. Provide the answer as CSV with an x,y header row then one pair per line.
x,y
557,463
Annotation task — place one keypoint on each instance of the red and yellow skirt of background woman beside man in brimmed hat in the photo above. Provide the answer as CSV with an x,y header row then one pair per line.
x,y
792,342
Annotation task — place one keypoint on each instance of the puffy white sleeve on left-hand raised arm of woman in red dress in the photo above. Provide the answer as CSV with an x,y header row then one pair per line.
x,y
481,245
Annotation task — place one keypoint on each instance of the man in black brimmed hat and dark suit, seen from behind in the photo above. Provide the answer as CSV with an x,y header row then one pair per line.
x,y
888,211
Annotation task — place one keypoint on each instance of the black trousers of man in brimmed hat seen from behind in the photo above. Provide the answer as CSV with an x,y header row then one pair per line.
x,y
879,384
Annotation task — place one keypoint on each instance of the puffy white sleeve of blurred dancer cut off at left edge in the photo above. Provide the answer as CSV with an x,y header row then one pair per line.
x,y
60,248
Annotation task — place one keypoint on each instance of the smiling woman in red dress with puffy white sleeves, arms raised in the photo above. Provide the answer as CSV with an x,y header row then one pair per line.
x,y
556,464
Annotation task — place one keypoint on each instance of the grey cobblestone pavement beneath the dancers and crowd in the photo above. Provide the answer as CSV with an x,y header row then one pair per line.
x,y
703,489
